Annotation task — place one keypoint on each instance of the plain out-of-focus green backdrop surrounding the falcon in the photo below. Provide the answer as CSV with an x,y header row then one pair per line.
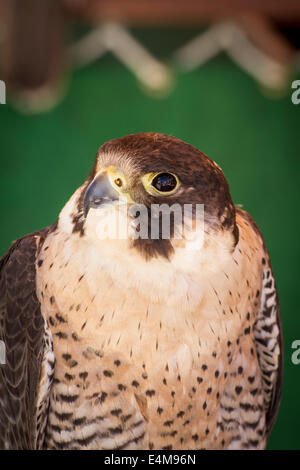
x,y
217,108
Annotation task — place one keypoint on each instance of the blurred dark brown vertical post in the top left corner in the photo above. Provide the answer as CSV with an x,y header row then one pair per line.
x,y
33,43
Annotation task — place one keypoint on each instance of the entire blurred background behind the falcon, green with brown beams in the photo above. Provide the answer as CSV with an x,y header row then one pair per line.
x,y
217,74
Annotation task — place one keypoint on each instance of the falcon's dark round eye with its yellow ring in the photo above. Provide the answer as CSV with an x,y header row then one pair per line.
x,y
162,183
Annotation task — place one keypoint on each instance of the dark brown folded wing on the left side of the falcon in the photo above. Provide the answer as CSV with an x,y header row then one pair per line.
x,y
23,333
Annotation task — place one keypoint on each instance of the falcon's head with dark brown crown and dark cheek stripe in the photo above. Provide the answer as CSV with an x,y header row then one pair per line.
x,y
147,170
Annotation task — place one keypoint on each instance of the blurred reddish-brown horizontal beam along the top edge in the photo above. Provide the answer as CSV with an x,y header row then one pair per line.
x,y
181,12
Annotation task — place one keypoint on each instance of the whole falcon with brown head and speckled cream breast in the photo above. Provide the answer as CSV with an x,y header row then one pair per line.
x,y
141,342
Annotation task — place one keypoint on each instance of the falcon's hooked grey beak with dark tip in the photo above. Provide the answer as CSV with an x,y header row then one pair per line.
x,y
99,192
